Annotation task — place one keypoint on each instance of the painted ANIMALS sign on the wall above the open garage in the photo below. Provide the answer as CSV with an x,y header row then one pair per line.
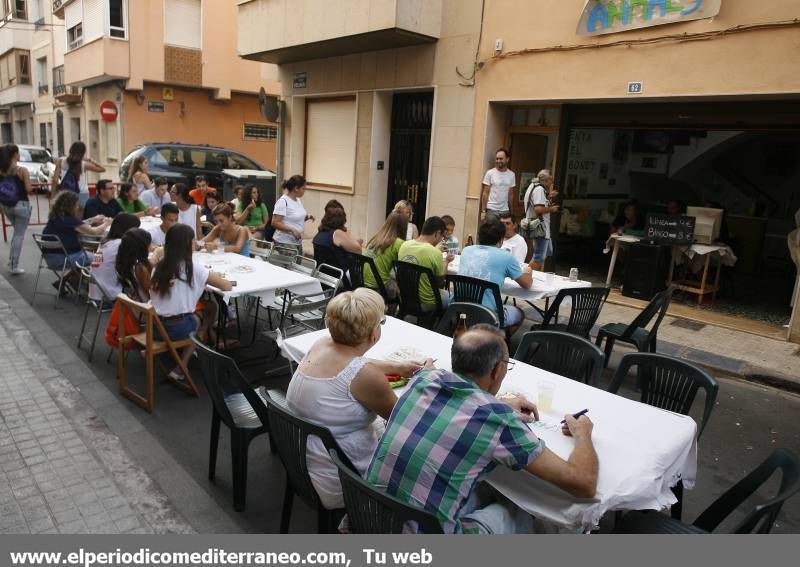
x,y
614,16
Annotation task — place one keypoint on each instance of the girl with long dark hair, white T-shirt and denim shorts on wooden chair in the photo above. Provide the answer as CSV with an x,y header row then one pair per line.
x,y
176,286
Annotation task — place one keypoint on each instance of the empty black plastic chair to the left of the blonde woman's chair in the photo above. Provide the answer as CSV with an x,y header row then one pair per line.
x,y
239,406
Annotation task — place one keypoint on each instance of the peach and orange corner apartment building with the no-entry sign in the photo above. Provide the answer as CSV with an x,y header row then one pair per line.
x,y
129,72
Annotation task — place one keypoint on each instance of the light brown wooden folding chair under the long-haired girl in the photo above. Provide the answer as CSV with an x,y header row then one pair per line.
x,y
146,340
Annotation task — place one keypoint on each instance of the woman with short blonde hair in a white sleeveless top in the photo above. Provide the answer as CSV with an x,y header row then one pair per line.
x,y
337,387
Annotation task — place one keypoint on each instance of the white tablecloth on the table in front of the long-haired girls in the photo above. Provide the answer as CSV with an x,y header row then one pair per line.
x,y
255,277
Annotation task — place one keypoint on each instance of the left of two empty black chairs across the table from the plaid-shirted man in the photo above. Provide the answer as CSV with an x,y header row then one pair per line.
x,y
563,354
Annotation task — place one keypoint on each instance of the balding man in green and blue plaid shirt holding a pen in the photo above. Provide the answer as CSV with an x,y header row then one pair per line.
x,y
448,431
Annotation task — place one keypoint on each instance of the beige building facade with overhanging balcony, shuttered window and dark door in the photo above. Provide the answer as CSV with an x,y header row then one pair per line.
x,y
378,100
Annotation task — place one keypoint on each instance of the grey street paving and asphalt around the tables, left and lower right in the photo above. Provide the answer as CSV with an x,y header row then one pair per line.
x,y
158,462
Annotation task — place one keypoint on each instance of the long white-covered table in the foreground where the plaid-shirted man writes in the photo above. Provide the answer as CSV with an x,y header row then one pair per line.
x,y
643,451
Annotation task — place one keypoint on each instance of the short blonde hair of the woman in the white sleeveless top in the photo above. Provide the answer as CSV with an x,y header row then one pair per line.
x,y
353,315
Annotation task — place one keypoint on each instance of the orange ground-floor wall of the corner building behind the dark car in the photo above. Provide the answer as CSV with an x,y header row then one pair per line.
x,y
217,123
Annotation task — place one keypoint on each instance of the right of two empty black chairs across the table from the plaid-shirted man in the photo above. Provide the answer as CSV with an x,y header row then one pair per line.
x,y
672,385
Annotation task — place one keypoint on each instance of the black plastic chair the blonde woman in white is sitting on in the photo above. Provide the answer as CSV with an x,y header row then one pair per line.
x,y
290,433
